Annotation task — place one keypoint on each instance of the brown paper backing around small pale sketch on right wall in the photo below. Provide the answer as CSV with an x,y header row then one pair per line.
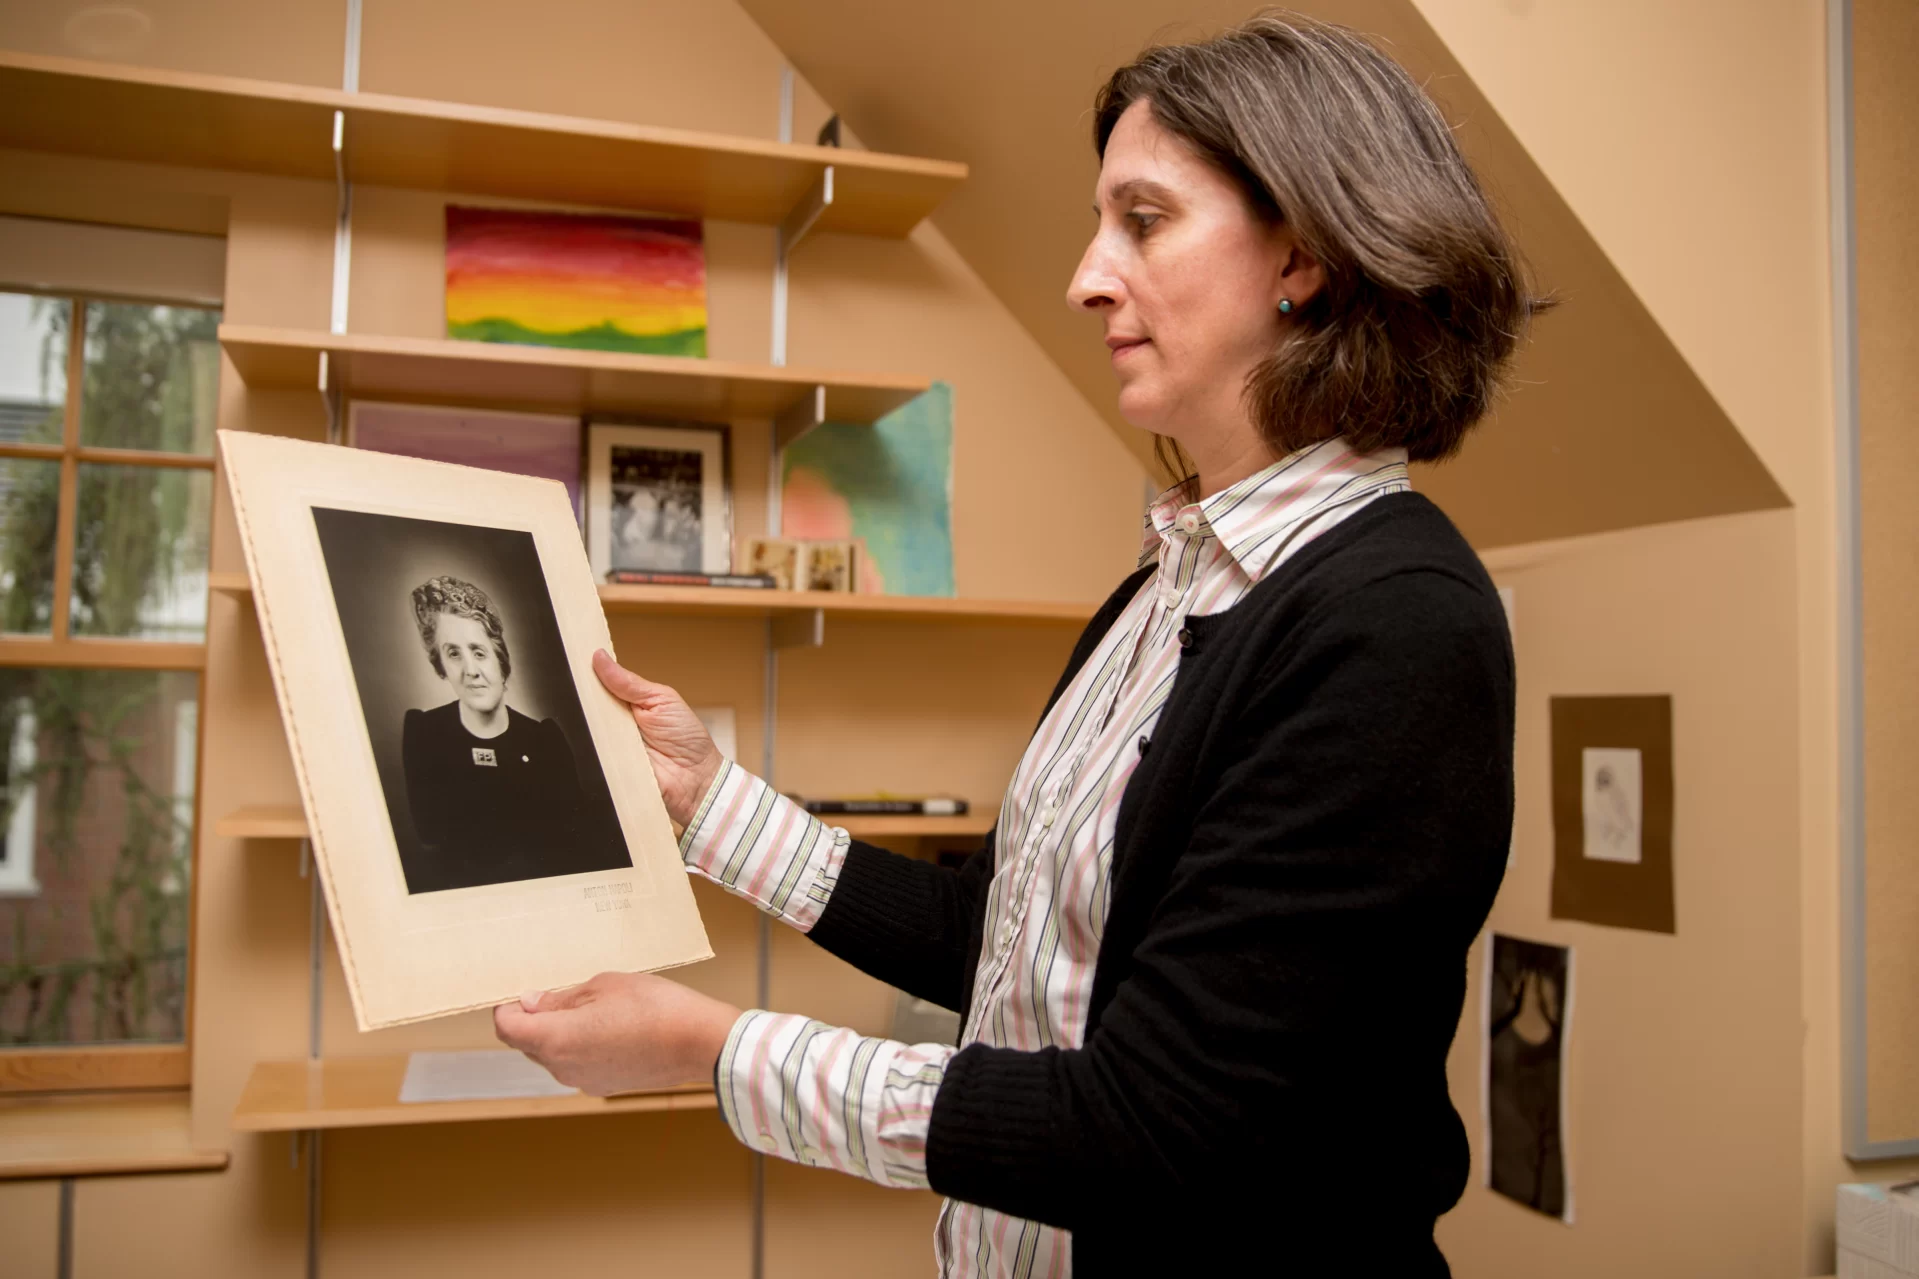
x,y
1611,892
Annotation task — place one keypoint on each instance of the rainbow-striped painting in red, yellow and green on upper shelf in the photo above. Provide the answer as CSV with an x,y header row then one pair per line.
x,y
586,281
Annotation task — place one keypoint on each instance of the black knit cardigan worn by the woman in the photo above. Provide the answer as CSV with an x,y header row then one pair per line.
x,y
1302,863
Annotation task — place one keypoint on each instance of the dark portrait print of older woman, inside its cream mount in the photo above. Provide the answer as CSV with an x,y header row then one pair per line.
x,y
475,721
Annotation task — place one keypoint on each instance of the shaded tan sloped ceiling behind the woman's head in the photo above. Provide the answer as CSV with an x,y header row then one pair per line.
x,y
1605,427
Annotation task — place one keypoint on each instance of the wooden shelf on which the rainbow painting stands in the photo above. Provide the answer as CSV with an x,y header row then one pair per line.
x,y
554,379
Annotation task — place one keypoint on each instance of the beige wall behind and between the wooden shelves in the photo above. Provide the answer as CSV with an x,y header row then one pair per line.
x,y
882,708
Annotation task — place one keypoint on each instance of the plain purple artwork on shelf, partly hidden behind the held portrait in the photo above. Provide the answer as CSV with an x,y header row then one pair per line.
x,y
521,443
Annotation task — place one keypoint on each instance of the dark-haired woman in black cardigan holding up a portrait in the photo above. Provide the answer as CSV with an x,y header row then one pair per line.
x,y
1212,959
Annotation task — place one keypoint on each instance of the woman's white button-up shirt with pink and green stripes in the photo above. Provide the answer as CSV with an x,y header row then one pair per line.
x,y
830,1098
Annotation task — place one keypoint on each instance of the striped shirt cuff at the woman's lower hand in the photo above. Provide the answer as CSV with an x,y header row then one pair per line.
x,y
828,1098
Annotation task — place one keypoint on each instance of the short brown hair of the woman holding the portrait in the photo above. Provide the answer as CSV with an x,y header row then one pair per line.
x,y
1425,295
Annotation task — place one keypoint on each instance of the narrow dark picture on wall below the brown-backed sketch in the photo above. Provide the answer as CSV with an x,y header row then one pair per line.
x,y
1528,1009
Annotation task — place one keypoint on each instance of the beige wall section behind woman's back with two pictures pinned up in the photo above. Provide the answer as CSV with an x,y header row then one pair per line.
x,y
1684,1073
